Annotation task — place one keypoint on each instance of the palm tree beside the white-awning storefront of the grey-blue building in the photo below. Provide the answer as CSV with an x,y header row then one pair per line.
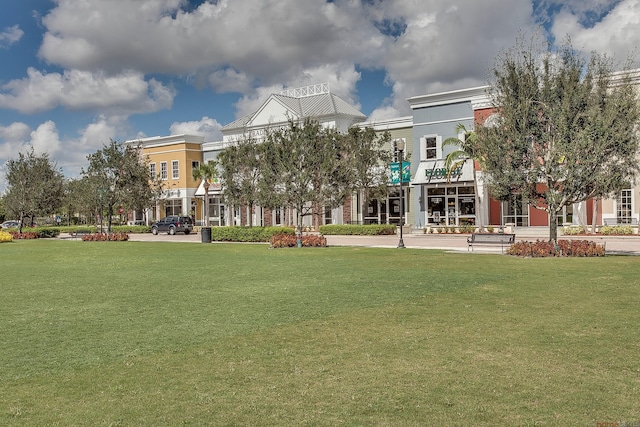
x,y
463,152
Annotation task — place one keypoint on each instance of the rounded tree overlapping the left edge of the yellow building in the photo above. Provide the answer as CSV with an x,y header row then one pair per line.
x,y
118,176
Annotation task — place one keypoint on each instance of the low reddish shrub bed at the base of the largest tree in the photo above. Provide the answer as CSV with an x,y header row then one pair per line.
x,y
569,248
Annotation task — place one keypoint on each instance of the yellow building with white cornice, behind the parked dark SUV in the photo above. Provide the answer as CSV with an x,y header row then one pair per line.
x,y
172,160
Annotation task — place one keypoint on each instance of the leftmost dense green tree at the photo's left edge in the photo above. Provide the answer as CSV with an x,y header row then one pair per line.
x,y
34,186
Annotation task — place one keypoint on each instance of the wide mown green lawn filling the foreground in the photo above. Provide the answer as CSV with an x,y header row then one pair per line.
x,y
134,333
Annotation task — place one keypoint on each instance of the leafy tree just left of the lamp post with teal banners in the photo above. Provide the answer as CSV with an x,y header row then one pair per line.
x,y
368,161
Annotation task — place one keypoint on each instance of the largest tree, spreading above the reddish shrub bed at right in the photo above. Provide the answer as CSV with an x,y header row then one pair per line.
x,y
565,129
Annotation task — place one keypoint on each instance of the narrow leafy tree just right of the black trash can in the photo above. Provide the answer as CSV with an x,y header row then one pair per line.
x,y
240,173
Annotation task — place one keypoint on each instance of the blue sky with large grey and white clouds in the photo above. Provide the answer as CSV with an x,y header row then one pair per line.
x,y
75,74
